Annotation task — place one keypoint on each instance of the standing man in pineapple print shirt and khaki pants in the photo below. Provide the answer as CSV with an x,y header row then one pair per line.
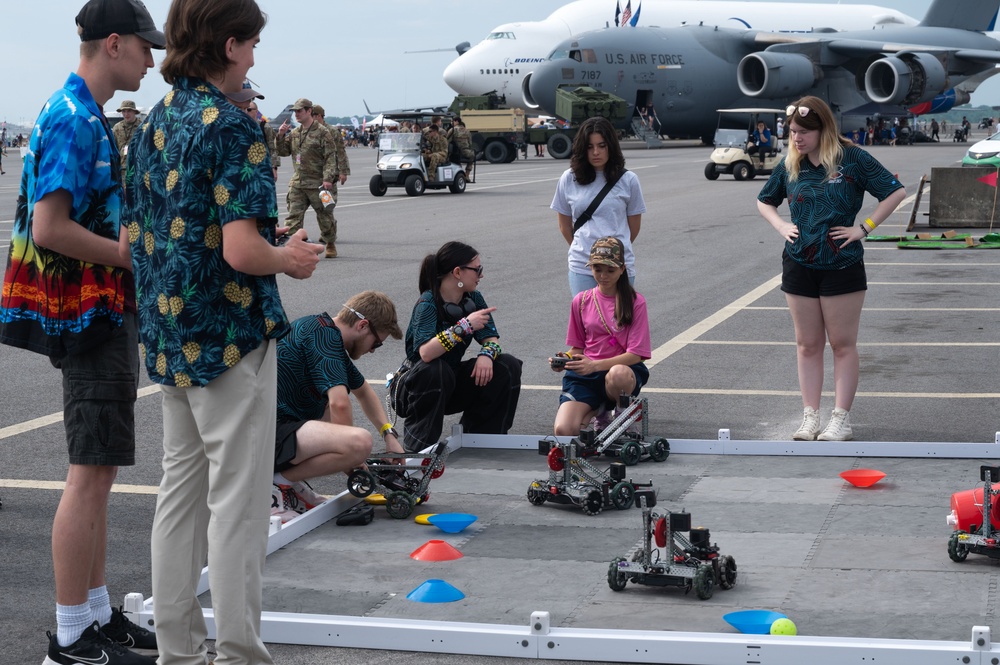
x,y
202,217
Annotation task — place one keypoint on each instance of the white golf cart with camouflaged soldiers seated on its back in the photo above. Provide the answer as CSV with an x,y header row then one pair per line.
x,y
401,164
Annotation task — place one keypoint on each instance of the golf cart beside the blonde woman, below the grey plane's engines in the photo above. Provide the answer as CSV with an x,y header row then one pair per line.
x,y
730,155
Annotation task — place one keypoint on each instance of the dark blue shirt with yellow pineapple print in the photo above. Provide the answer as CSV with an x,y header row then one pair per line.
x,y
196,164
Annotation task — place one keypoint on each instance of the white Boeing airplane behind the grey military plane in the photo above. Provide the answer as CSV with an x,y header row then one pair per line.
x,y
511,51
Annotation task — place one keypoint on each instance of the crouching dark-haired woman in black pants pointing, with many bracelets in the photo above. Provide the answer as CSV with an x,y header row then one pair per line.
x,y
449,314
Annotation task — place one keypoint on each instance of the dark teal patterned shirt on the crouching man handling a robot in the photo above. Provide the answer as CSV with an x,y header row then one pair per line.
x,y
311,360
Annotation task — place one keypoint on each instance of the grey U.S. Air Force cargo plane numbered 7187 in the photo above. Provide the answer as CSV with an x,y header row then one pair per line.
x,y
687,73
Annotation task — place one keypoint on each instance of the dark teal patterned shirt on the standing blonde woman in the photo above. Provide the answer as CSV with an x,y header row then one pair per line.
x,y
817,202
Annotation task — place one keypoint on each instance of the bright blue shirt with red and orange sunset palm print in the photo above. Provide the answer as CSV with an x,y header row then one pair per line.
x,y
50,301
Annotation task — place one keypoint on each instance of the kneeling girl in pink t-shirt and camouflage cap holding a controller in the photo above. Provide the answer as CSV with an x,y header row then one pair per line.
x,y
608,336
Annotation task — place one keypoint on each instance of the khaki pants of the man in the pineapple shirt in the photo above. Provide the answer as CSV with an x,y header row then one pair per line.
x,y
214,504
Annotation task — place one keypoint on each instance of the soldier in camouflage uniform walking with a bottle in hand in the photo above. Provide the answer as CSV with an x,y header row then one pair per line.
x,y
314,154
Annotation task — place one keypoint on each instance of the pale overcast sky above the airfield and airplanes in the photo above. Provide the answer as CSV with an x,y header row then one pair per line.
x,y
335,53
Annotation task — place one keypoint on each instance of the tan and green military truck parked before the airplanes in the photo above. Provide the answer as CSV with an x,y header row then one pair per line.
x,y
498,133
